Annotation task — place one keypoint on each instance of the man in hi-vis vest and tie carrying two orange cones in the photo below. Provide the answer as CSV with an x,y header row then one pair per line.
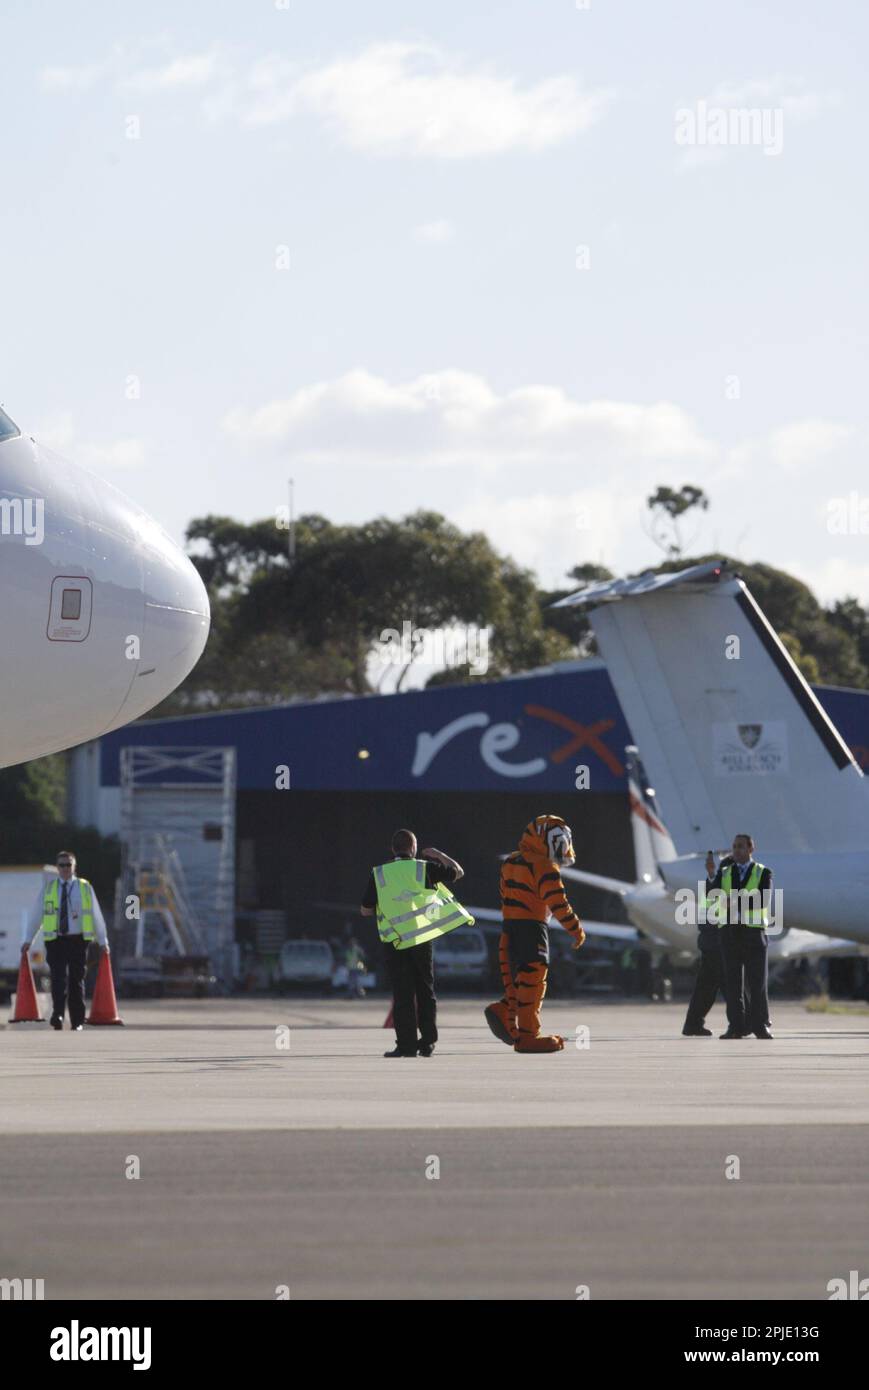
x,y
70,918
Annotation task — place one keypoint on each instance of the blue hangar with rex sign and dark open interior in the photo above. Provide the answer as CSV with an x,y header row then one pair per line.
x,y
465,767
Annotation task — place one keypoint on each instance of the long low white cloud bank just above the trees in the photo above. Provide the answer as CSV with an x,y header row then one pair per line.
x,y
551,479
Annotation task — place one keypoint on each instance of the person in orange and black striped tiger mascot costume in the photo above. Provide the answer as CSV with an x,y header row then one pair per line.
x,y
532,892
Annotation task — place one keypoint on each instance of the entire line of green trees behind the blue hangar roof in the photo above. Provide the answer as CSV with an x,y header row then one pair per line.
x,y
286,632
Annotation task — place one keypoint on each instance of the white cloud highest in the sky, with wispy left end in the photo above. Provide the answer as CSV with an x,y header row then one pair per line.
x,y
387,99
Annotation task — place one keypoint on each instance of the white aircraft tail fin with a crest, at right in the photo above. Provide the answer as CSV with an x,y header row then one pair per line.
x,y
733,737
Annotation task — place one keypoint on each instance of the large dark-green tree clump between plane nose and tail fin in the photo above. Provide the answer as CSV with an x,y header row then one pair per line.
x,y
283,632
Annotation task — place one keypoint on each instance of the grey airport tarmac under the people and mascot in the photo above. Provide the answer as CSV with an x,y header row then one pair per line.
x,y
265,1166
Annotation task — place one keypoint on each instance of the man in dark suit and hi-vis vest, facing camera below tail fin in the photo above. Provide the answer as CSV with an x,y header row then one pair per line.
x,y
740,911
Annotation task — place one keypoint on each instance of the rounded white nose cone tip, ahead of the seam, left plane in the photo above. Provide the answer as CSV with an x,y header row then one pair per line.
x,y
177,619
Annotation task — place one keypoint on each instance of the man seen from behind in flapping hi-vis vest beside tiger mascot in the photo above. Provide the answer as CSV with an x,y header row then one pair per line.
x,y
414,908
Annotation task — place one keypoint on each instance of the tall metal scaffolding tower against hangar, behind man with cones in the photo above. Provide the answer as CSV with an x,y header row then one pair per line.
x,y
177,833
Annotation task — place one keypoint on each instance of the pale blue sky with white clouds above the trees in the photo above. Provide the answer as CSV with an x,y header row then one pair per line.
x,y
521,265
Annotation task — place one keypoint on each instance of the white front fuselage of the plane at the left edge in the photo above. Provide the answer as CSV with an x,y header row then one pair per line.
x,y
102,616
